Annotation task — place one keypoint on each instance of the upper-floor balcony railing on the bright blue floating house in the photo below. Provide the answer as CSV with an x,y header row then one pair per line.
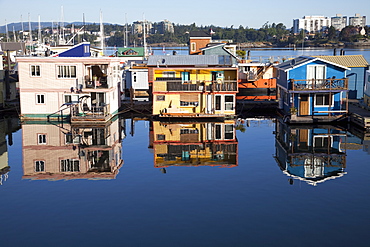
x,y
319,84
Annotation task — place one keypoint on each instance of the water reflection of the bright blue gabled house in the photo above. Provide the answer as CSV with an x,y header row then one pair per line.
x,y
313,154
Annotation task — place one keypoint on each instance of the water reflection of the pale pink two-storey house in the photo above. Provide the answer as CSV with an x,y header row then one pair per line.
x,y
64,151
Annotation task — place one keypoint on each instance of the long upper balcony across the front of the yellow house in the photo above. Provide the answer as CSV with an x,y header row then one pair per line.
x,y
201,86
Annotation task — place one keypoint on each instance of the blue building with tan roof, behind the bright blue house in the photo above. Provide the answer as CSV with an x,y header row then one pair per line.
x,y
356,77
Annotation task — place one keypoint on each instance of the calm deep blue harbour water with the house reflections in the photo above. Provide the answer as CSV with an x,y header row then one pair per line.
x,y
255,182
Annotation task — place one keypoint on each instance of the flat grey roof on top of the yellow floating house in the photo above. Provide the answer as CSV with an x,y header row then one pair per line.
x,y
186,60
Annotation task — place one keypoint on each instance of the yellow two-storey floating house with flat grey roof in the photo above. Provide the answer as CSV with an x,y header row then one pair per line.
x,y
193,86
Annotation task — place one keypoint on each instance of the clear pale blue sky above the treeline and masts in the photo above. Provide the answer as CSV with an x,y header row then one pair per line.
x,y
203,12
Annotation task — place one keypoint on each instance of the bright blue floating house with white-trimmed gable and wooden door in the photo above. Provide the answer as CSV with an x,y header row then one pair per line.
x,y
312,89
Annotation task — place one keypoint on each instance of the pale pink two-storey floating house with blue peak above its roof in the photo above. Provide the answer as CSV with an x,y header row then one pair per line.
x,y
70,86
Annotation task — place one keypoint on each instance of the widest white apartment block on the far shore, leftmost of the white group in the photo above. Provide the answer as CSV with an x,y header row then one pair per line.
x,y
311,24
